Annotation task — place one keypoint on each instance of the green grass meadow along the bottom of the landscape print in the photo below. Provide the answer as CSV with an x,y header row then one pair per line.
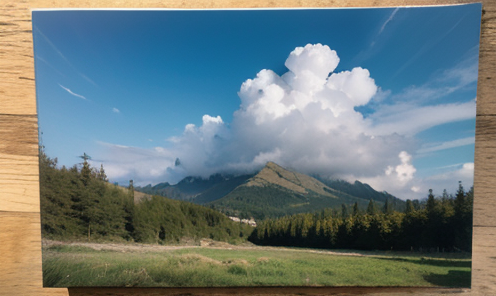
x,y
73,265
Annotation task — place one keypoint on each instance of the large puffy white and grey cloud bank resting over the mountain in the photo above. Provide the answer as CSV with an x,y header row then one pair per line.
x,y
306,120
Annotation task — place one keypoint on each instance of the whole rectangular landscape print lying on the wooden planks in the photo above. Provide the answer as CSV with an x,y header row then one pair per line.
x,y
257,147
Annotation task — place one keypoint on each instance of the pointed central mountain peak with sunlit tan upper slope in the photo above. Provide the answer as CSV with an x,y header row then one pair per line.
x,y
275,192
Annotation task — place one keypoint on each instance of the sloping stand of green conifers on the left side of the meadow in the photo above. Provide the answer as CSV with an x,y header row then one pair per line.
x,y
79,203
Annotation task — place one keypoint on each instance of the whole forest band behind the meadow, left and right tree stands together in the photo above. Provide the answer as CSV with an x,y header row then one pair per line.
x,y
79,203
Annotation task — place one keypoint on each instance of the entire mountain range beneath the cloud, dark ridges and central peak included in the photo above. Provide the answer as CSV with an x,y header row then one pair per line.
x,y
272,192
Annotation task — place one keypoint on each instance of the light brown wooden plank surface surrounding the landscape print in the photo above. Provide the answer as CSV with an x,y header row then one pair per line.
x,y
20,247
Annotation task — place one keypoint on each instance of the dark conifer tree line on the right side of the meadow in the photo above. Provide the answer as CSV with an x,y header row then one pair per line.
x,y
442,223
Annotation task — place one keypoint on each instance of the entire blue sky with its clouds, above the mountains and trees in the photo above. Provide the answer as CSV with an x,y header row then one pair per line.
x,y
124,86
